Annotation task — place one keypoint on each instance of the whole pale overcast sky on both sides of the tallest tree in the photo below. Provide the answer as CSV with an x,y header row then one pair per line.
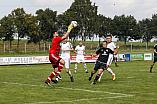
x,y
140,9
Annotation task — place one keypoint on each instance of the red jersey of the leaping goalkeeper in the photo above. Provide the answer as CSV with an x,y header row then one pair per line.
x,y
55,48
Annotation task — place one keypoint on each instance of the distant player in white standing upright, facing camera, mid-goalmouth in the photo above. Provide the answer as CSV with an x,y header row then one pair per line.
x,y
80,51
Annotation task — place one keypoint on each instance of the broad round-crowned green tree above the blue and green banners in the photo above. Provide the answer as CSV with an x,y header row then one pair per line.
x,y
127,28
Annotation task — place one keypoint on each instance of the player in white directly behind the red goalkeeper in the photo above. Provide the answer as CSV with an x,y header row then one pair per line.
x,y
65,55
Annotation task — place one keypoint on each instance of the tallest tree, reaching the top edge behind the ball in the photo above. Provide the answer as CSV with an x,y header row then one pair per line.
x,y
86,13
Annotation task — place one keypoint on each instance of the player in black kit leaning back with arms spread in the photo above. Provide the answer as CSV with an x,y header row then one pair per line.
x,y
101,62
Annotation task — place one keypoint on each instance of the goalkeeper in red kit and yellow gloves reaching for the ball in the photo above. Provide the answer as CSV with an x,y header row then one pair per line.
x,y
54,58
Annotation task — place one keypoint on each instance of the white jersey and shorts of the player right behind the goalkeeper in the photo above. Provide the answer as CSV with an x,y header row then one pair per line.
x,y
66,46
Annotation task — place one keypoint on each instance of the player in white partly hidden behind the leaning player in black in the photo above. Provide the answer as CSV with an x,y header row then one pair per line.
x,y
111,45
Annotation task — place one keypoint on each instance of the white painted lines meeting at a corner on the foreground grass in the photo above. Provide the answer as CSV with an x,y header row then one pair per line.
x,y
120,94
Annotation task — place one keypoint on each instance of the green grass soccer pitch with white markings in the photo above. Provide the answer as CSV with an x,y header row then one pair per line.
x,y
24,84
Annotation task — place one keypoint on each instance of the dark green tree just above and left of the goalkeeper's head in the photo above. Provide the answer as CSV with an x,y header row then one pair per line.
x,y
47,22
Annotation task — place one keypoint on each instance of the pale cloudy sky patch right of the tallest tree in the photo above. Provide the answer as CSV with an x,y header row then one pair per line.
x,y
138,8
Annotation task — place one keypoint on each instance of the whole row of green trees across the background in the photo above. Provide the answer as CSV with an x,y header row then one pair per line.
x,y
39,26
